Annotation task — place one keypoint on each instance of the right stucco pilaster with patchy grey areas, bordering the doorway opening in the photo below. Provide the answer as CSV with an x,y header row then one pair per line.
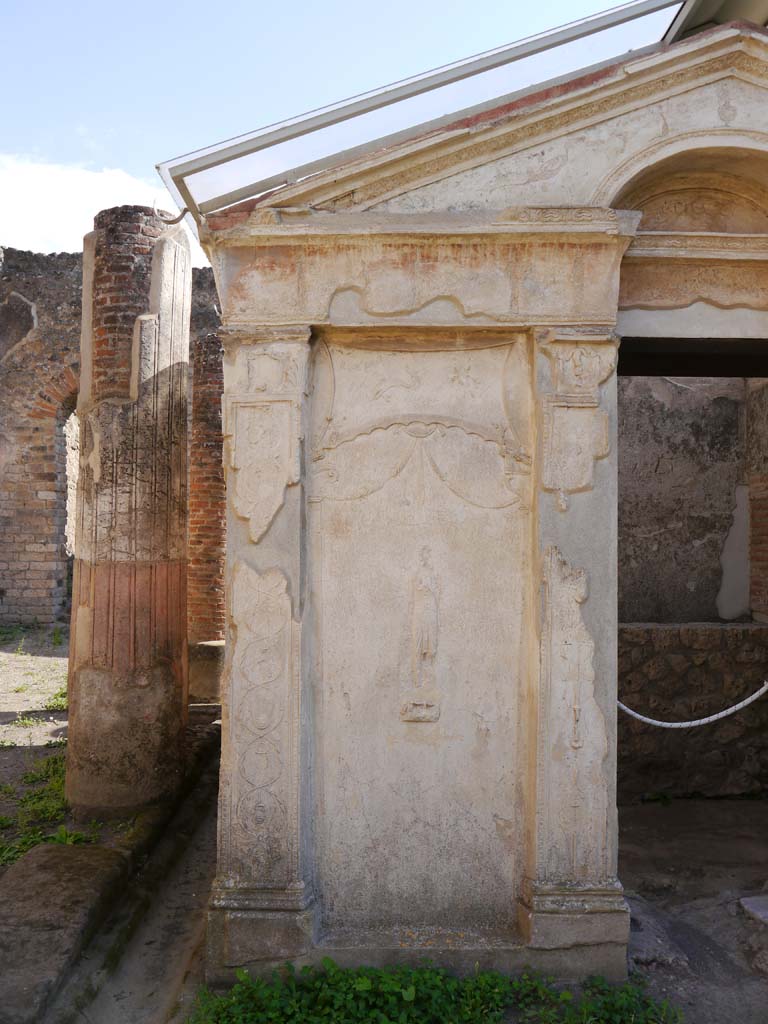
x,y
571,894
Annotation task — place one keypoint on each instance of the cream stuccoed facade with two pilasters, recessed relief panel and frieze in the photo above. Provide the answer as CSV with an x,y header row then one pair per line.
x,y
393,517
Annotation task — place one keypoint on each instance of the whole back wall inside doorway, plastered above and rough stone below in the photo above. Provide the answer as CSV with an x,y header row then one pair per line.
x,y
693,561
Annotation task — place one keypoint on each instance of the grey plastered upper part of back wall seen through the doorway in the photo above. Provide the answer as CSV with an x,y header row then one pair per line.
x,y
684,514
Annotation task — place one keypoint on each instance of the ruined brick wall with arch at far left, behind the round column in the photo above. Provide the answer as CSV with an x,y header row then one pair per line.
x,y
39,372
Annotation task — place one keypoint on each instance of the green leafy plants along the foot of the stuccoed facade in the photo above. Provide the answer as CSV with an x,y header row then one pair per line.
x,y
421,996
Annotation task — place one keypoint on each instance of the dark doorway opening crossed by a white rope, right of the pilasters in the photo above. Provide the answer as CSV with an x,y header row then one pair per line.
x,y
693,642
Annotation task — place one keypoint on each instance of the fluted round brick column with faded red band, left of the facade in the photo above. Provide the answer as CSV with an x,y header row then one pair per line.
x,y
129,651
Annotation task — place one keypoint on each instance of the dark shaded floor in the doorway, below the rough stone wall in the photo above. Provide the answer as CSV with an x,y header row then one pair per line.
x,y
686,868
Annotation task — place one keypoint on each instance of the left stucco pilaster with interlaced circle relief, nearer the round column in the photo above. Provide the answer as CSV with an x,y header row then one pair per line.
x,y
262,910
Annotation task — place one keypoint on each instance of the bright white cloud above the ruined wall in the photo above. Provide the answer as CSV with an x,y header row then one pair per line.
x,y
50,207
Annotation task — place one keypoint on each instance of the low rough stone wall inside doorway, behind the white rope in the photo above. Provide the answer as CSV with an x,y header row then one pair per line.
x,y
679,673
